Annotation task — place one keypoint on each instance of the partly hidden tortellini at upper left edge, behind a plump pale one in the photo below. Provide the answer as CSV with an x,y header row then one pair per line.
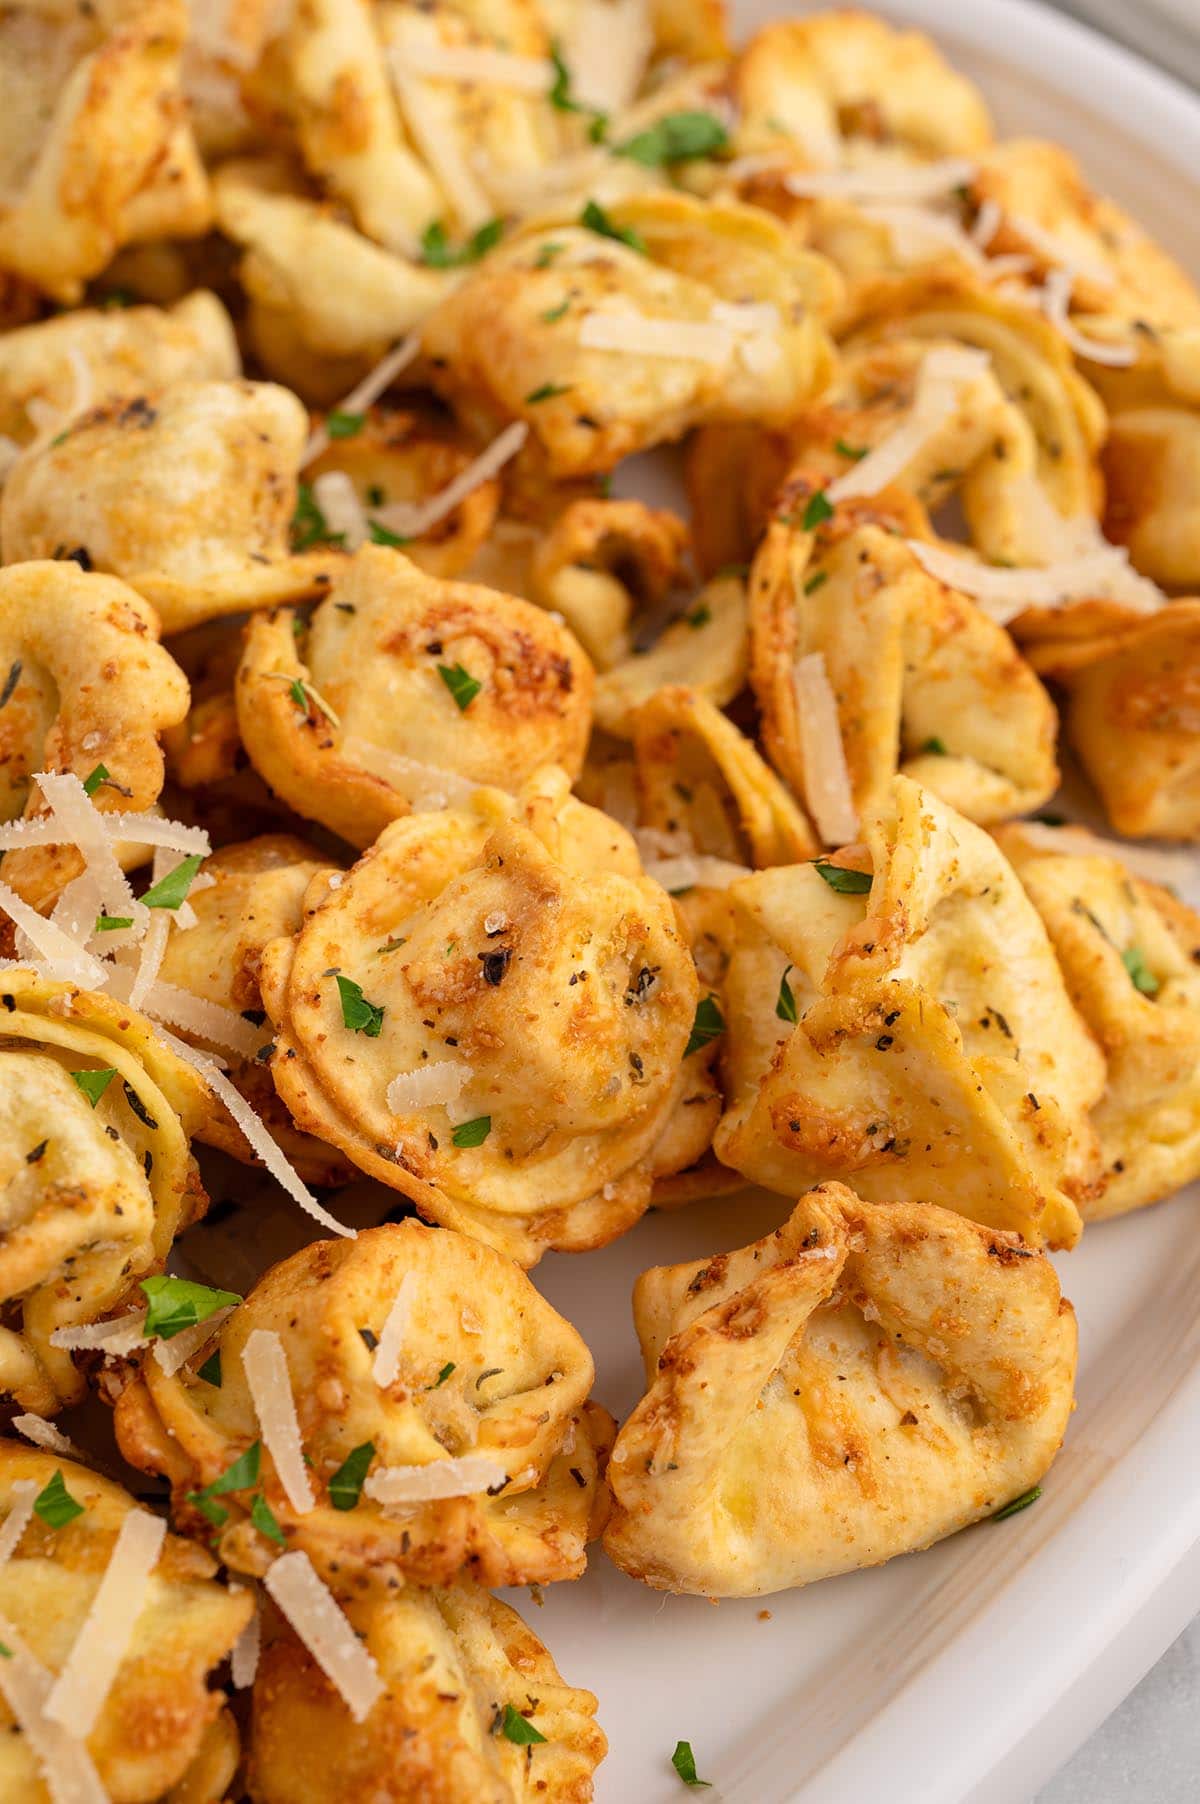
x,y
55,369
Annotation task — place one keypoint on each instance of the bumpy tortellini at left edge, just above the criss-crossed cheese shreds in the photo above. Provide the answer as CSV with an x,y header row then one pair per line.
x,y
86,686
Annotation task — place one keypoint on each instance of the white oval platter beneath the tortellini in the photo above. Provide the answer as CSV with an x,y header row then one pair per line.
x,y
970,1673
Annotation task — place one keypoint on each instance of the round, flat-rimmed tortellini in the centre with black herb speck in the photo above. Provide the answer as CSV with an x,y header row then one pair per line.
x,y
492,1015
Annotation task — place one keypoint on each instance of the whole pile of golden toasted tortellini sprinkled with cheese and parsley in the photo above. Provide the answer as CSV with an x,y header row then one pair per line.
x,y
394,802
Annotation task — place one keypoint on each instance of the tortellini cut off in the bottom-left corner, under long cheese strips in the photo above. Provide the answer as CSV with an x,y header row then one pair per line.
x,y
163,1729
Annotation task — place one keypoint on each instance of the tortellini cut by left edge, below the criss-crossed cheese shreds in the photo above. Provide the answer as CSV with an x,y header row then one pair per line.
x,y
93,1193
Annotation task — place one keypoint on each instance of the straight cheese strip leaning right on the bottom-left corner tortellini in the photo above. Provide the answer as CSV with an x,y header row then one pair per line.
x,y
107,1630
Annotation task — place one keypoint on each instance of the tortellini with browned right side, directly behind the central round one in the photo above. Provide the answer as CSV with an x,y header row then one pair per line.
x,y
405,690
